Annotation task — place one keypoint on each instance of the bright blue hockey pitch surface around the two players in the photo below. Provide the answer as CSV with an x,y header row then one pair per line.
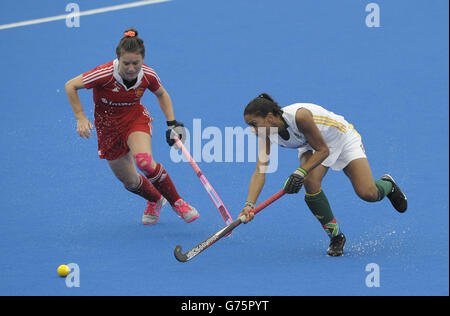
x,y
61,204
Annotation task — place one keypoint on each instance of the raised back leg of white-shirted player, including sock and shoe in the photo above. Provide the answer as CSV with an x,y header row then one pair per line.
x,y
360,175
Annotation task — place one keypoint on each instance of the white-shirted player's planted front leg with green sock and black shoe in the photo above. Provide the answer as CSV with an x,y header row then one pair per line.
x,y
318,204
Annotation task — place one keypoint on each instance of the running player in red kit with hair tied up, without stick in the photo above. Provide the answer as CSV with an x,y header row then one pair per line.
x,y
124,126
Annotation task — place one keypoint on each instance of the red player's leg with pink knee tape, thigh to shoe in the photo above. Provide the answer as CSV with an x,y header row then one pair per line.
x,y
140,146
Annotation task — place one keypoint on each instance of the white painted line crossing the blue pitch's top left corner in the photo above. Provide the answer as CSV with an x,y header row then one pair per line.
x,y
82,13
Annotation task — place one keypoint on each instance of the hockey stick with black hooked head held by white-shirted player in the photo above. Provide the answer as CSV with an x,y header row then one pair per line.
x,y
184,257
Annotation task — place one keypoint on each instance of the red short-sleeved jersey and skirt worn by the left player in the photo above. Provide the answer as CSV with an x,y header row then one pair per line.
x,y
118,109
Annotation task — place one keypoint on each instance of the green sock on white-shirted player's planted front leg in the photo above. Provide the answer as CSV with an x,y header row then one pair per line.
x,y
320,207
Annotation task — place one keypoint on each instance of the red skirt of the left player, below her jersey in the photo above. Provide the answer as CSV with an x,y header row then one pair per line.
x,y
113,133
